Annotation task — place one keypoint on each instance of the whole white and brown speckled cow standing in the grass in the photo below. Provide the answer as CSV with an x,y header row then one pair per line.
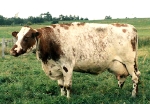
x,y
82,47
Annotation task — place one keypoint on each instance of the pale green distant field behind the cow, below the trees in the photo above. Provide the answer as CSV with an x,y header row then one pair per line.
x,y
141,24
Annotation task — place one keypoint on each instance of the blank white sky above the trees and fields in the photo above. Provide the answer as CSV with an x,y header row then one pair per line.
x,y
91,9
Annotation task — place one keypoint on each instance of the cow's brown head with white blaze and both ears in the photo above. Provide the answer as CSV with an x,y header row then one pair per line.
x,y
25,40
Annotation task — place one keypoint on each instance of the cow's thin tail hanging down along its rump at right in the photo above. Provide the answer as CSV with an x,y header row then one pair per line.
x,y
138,73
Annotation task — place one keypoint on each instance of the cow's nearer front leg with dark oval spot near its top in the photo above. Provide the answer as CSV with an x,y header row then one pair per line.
x,y
67,72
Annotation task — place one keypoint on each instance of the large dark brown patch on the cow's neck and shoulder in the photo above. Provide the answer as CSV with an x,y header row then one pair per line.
x,y
49,46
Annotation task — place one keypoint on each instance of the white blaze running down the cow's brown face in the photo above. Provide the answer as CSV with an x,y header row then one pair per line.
x,y
20,35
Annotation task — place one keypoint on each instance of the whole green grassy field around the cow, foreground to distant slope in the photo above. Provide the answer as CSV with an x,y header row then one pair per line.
x,y
22,81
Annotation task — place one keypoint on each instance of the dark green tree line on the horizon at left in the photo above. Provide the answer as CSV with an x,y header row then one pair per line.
x,y
39,19
